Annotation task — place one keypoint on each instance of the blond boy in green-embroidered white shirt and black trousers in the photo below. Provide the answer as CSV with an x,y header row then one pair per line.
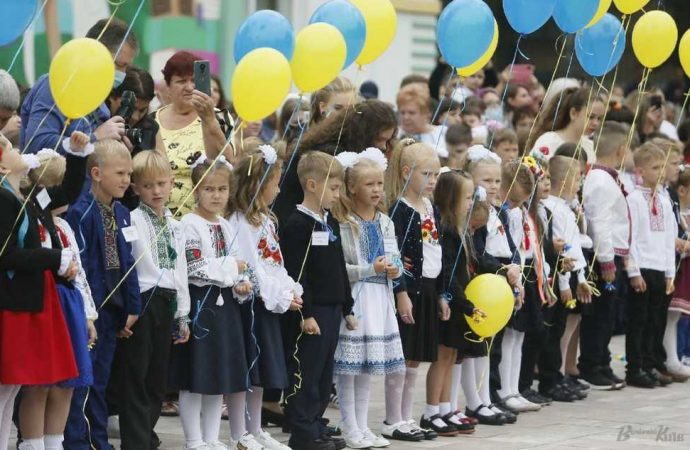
x,y
162,273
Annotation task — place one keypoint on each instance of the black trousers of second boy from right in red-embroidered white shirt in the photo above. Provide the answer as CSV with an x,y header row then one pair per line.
x,y
597,323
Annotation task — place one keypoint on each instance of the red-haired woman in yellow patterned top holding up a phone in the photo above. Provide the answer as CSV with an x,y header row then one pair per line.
x,y
188,126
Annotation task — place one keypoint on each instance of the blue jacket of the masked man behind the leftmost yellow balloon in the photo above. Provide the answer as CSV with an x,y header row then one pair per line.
x,y
42,121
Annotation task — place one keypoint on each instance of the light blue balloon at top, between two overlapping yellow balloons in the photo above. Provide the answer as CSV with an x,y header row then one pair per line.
x,y
348,20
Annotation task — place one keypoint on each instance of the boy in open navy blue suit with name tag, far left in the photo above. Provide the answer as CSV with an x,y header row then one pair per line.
x,y
104,234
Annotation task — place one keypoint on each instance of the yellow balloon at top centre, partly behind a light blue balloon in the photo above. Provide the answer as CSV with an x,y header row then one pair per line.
x,y
382,22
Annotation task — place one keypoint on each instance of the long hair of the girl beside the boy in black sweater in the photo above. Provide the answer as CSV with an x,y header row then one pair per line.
x,y
251,178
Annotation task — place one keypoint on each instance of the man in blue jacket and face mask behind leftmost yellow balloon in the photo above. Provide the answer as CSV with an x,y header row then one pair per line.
x,y
42,120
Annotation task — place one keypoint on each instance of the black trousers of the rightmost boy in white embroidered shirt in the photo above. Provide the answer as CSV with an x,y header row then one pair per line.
x,y
644,324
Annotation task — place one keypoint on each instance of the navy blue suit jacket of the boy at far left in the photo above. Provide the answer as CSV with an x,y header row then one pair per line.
x,y
85,219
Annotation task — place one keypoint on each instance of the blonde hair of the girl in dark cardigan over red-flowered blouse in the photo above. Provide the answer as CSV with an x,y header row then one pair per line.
x,y
407,153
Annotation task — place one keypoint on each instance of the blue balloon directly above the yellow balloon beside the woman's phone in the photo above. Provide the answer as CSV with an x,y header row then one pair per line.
x,y
265,28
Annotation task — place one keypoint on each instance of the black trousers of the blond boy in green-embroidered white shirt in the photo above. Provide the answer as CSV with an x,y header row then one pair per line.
x,y
143,366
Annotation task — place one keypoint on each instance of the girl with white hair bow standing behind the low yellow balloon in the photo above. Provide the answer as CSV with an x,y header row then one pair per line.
x,y
495,254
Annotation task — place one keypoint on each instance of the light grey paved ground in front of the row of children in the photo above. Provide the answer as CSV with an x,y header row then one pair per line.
x,y
631,418
